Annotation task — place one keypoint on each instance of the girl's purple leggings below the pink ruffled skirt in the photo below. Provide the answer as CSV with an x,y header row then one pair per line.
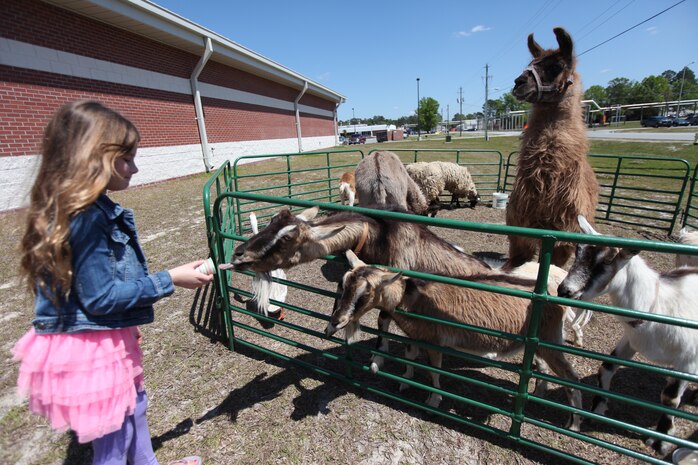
x,y
132,442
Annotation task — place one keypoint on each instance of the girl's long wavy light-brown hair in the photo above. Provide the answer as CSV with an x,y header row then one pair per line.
x,y
80,145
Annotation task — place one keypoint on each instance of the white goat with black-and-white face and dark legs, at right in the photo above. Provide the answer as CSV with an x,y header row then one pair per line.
x,y
632,284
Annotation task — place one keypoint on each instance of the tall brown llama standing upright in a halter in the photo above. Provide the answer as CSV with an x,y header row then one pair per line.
x,y
554,181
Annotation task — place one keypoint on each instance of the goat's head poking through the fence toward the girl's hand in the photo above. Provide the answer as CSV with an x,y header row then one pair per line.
x,y
282,243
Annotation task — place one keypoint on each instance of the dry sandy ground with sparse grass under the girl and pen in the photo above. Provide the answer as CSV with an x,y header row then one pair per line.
x,y
248,407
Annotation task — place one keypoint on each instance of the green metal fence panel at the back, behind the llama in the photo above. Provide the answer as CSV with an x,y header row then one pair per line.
x,y
634,190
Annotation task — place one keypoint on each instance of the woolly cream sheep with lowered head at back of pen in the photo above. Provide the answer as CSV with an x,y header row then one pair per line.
x,y
433,178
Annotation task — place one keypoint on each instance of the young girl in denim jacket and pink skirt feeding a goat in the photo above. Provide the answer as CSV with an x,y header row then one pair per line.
x,y
81,362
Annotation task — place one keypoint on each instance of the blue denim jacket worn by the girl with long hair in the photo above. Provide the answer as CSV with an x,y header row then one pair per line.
x,y
111,286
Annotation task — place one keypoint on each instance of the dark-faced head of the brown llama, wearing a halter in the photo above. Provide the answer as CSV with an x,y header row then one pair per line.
x,y
550,73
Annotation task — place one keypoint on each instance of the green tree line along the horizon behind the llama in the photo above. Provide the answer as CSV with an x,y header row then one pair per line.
x,y
666,87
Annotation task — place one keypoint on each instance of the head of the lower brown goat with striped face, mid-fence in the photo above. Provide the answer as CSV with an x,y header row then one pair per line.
x,y
363,289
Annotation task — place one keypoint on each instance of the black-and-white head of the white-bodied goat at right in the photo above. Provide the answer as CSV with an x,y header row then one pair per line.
x,y
594,267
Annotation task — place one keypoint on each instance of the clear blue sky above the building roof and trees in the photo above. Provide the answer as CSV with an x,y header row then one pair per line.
x,y
372,52
